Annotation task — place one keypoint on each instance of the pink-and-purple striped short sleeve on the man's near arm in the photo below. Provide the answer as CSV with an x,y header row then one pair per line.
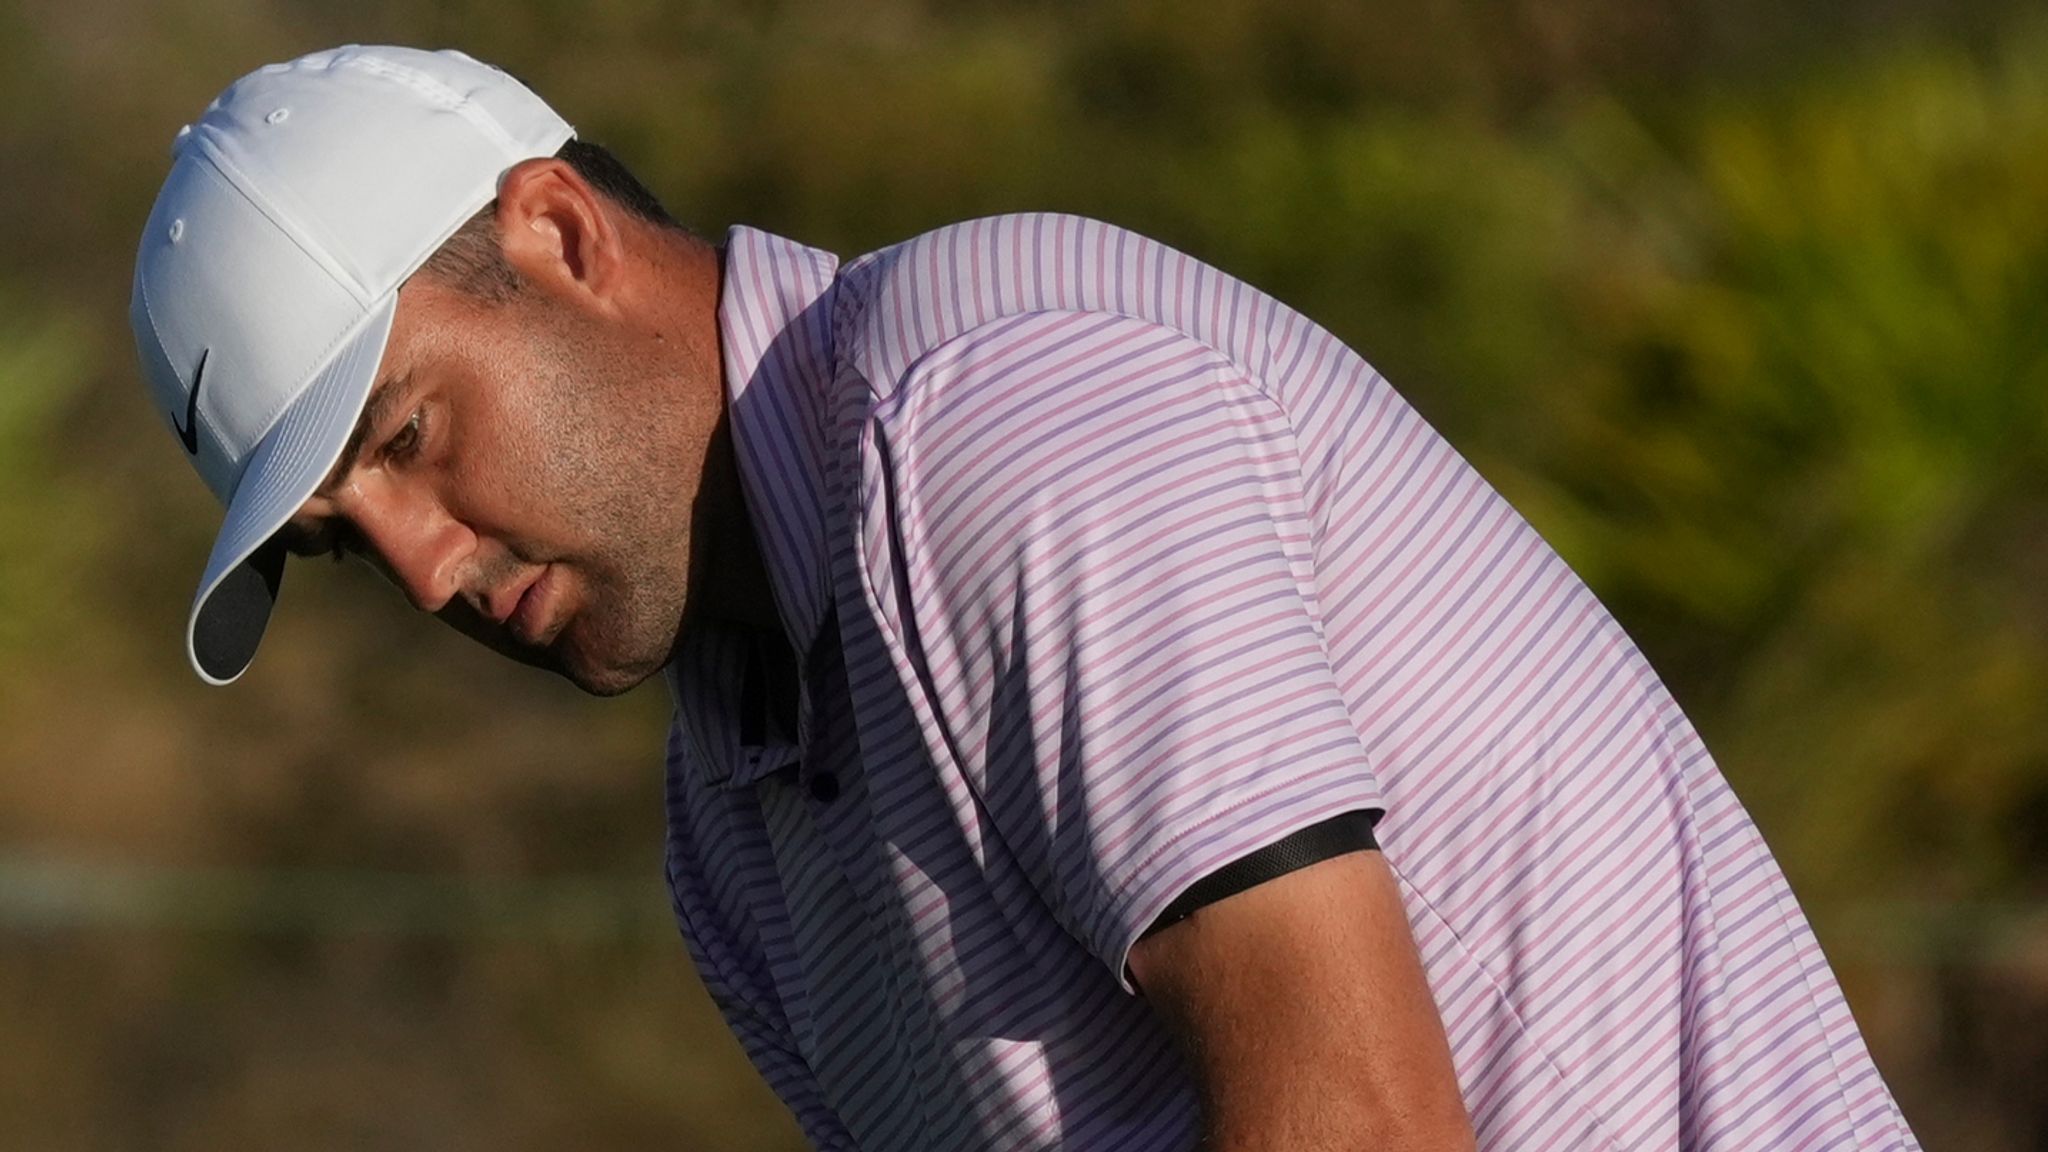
x,y
1091,546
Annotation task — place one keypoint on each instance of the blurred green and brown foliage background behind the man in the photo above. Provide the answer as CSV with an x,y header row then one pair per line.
x,y
1740,302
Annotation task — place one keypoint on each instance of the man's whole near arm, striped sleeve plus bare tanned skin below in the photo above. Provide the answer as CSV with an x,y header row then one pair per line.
x,y
1103,542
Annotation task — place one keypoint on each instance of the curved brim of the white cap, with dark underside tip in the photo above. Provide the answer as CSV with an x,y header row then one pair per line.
x,y
247,567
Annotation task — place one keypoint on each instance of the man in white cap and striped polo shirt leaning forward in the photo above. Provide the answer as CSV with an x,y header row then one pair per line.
x,y
1107,716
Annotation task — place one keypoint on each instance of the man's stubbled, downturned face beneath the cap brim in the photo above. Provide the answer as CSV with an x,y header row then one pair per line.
x,y
525,470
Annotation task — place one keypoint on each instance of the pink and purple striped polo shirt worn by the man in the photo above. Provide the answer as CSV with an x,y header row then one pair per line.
x,y
1099,571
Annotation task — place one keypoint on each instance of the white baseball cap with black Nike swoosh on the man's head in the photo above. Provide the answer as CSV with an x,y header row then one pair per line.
x,y
269,276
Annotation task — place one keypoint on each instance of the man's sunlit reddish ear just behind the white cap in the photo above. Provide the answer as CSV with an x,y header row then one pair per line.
x,y
560,233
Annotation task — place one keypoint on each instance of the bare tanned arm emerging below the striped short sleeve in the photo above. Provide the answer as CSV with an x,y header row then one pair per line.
x,y
1306,1016
